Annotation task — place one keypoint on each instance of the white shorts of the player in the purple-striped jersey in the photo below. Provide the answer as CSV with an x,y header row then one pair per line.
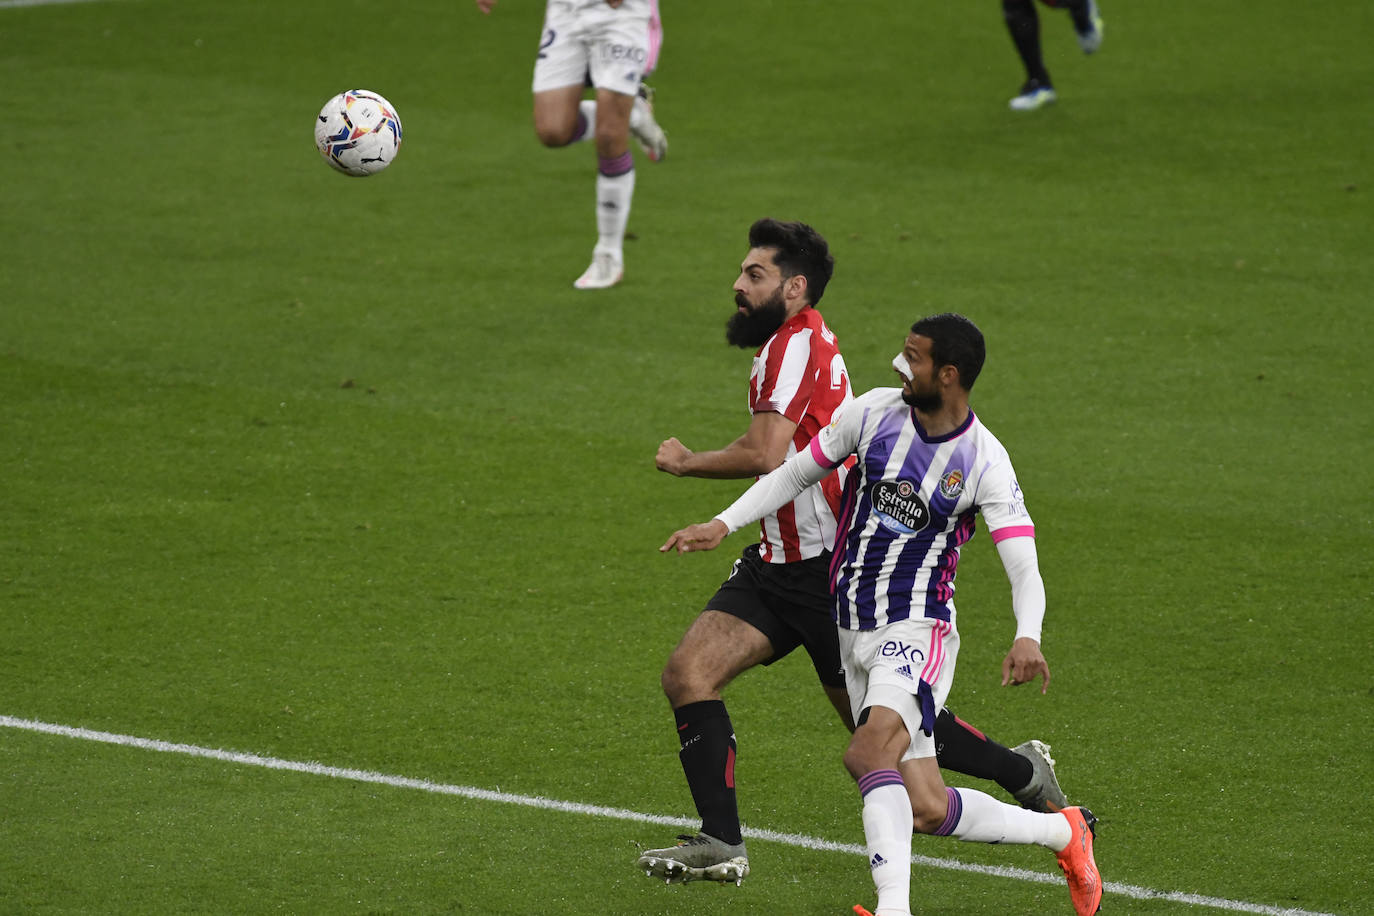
x,y
888,667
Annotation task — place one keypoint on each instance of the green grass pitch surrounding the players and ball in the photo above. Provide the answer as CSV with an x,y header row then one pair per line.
x,y
346,472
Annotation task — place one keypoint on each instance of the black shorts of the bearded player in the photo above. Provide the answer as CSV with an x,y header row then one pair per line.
x,y
789,604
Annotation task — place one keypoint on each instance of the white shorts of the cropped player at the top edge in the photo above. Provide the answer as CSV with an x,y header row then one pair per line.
x,y
592,39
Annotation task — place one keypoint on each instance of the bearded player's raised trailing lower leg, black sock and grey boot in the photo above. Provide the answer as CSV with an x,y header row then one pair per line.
x,y
1026,772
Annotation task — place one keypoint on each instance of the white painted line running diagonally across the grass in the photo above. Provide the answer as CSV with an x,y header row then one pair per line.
x,y
620,814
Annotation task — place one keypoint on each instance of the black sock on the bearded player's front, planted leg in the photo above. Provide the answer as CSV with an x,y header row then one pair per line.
x,y
708,757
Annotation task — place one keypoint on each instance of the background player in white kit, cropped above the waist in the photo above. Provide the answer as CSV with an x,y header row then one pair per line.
x,y
613,45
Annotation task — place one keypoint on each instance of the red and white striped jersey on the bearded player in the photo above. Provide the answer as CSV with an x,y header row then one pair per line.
x,y
800,374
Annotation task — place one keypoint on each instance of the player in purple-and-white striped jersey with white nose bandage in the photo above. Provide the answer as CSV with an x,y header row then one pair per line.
x,y
927,466
